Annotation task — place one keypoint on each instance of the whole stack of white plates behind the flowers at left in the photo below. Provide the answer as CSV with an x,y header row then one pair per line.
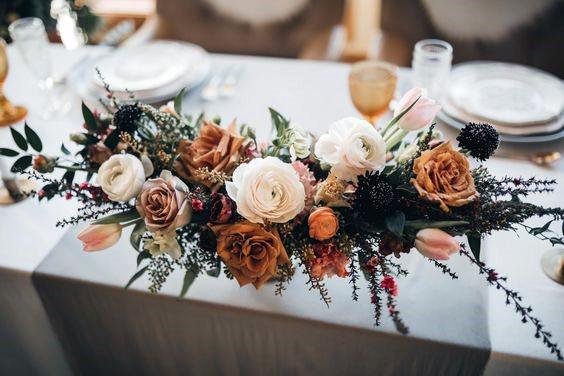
x,y
152,72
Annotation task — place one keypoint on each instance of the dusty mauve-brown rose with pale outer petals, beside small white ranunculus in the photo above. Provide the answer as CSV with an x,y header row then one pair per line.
x,y
163,203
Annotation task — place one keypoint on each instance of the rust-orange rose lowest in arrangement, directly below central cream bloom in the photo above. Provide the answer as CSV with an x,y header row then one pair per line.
x,y
251,252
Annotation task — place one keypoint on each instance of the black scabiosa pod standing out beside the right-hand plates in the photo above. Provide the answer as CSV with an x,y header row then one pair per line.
x,y
479,139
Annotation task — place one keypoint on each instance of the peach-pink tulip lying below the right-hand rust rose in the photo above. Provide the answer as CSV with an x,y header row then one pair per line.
x,y
436,244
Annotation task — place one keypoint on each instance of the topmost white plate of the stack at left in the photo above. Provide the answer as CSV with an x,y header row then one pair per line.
x,y
148,66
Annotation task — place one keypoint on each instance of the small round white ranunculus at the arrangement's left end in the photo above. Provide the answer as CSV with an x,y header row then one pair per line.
x,y
121,177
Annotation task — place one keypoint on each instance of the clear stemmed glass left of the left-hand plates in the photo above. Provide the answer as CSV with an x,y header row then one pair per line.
x,y
30,39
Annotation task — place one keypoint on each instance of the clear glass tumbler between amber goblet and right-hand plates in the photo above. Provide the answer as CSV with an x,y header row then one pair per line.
x,y
431,64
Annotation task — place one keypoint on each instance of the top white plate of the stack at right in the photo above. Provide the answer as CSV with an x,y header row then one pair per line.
x,y
507,94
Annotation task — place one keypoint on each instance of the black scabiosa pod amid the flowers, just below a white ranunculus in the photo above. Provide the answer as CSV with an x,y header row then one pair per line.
x,y
375,197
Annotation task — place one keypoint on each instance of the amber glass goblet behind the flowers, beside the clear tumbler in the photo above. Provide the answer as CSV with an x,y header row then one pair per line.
x,y
372,85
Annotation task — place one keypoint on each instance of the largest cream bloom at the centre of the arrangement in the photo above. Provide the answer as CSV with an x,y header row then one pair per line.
x,y
267,189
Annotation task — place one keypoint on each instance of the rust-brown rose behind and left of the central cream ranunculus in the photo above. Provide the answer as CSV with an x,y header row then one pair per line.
x,y
216,149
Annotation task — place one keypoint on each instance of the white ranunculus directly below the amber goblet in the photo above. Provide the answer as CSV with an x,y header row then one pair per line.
x,y
352,147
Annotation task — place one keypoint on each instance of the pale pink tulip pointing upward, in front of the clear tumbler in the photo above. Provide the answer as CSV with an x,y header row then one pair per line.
x,y
420,115
